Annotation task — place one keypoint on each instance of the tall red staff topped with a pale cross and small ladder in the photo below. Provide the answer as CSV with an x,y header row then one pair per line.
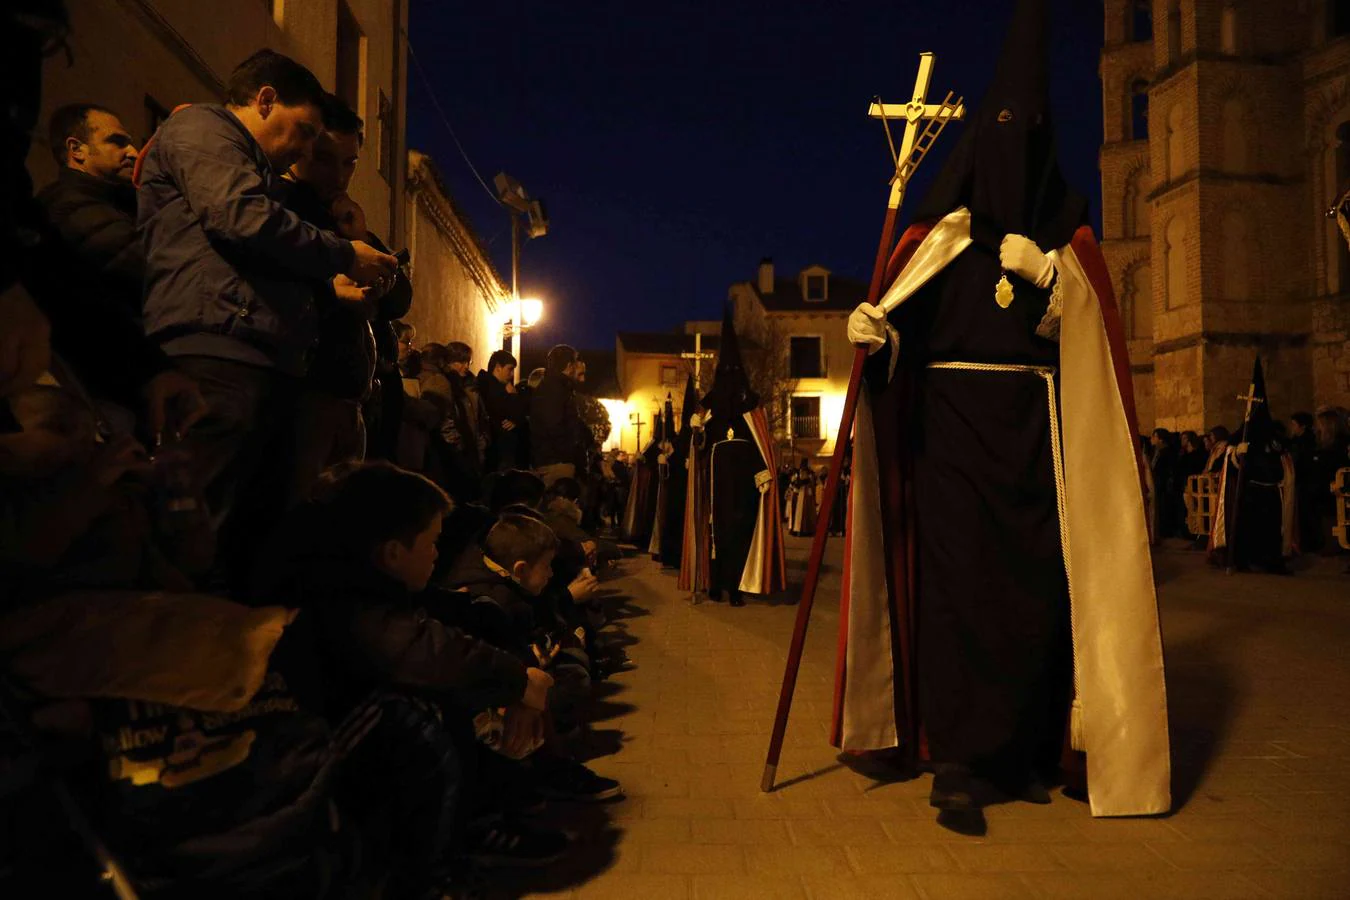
x,y
924,122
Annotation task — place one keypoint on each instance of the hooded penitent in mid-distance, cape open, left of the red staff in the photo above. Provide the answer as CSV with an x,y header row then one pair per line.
x,y
746,544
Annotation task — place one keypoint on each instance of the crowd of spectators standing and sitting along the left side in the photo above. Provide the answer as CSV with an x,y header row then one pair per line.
x,y
292,605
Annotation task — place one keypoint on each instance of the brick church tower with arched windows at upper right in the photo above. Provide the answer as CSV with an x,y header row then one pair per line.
x,y
1216,180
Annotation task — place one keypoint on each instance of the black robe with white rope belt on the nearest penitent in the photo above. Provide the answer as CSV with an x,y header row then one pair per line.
x,y
994,655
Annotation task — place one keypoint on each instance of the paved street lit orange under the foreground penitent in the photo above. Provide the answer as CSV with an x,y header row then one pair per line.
x,y
1260,727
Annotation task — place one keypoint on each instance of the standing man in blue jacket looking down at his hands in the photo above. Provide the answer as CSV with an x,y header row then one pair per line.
x,y
230,276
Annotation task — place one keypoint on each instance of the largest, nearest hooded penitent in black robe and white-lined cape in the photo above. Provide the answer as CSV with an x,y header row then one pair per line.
x,y
997,561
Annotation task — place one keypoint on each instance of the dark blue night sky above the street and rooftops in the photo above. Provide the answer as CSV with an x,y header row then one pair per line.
x,y
677,144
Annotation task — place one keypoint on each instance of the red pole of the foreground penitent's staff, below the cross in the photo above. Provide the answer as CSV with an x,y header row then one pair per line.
x,y
823,524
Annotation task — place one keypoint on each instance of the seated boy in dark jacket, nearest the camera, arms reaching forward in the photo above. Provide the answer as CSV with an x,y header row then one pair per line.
x,y
367,555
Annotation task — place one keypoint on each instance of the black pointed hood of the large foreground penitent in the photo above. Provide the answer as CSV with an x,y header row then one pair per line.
x,y
1005,169
